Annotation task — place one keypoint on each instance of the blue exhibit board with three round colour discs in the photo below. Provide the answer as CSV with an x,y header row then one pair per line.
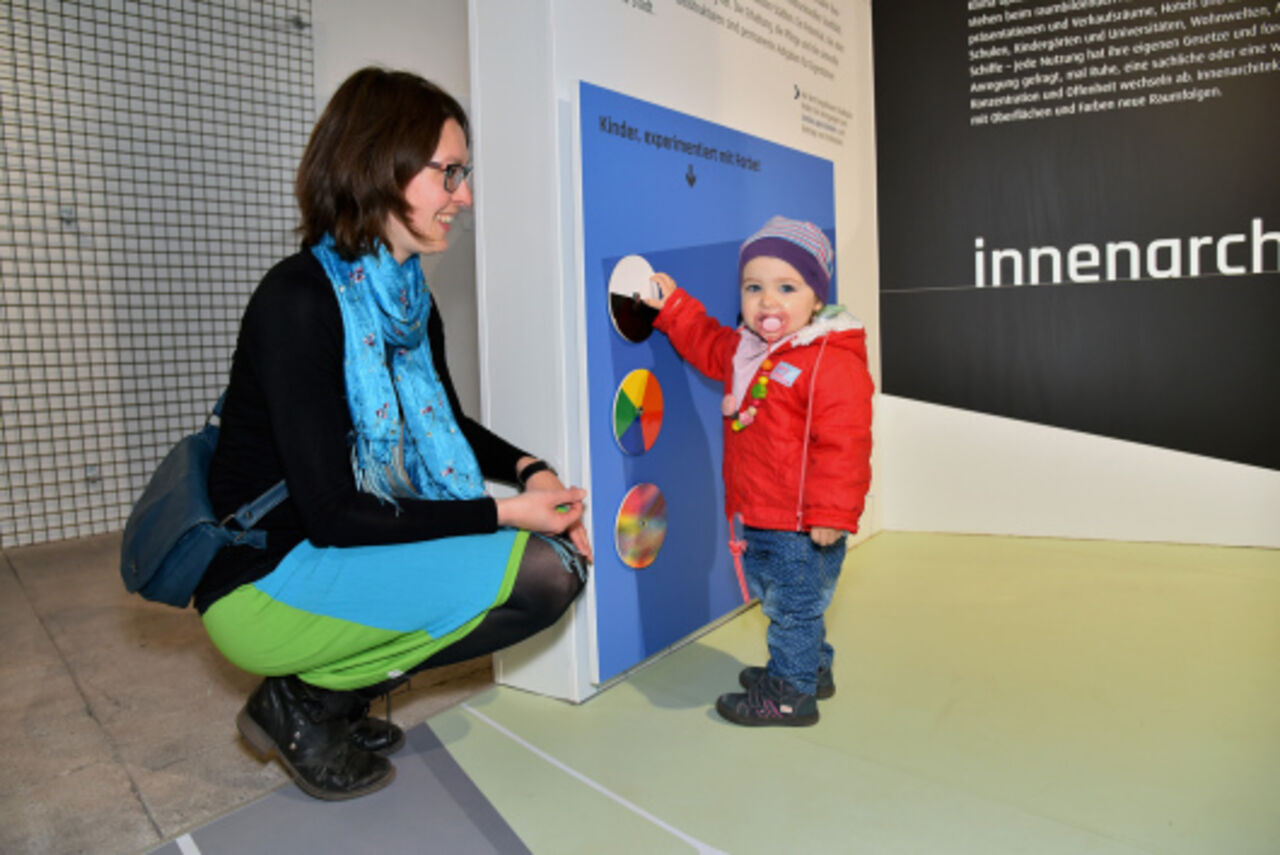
x,y
682,194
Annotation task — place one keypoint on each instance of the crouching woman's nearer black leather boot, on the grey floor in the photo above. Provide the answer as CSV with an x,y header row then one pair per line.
x,y
308,730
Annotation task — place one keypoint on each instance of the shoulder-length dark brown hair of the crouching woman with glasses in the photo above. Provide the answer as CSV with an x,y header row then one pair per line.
x,y
380,130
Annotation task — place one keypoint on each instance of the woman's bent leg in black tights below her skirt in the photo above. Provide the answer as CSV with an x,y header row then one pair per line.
x,y
543,589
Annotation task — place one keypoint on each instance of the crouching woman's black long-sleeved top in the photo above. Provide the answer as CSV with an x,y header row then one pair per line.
x,y
286,417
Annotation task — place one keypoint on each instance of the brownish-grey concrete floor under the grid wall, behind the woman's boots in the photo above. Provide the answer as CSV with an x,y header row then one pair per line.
x,y
117,716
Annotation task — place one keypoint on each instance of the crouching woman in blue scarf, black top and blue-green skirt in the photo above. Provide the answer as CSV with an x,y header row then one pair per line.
x,y
388,556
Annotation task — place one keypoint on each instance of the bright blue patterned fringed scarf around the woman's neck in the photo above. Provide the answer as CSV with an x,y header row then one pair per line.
x,y
408,441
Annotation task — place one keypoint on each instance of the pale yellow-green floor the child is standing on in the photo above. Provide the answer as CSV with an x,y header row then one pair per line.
x,y
995,696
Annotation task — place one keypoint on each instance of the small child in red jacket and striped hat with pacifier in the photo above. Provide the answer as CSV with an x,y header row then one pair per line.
x,y
798,438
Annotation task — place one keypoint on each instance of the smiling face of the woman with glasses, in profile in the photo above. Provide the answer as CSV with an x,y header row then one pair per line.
x,y
432,208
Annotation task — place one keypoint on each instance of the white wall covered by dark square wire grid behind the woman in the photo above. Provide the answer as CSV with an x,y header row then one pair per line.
x,y
147,163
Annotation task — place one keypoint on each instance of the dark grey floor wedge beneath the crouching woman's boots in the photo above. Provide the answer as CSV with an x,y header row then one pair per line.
x,y
432,807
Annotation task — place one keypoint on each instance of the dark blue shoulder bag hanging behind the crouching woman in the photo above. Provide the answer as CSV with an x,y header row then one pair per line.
x,y
173,536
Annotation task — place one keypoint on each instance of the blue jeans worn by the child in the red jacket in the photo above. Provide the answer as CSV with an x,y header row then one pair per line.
x,y
794,579
